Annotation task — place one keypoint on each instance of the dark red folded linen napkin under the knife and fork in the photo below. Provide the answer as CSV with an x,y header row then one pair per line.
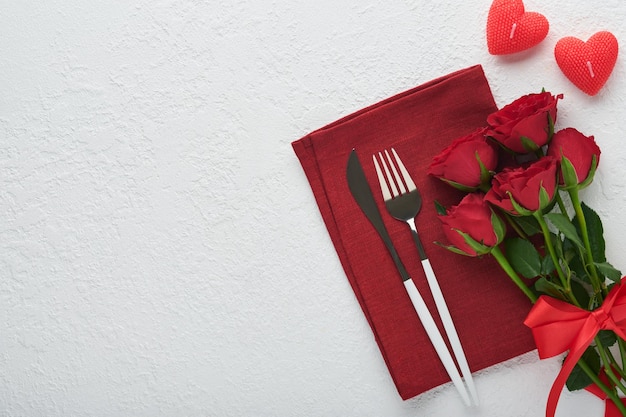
x,y
486,307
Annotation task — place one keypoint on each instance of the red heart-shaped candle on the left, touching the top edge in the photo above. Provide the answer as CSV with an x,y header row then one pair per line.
x,y
511,29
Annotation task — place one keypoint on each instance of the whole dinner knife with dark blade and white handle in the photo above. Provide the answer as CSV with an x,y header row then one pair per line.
x,y
362,193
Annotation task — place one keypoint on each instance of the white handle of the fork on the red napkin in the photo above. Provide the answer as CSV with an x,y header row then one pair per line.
x,y
448,325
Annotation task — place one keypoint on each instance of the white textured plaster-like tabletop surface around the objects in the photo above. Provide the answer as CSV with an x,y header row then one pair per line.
x,y
161,253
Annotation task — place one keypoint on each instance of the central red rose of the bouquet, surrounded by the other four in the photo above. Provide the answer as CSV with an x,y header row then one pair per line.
x,y
524,185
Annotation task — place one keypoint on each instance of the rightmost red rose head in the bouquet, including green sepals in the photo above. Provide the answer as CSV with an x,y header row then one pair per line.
x,y
578,155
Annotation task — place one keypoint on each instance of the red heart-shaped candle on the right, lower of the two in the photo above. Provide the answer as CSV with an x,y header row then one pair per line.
x,y
588,65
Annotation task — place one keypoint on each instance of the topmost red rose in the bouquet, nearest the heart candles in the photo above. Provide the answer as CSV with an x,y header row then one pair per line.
x,y
524,125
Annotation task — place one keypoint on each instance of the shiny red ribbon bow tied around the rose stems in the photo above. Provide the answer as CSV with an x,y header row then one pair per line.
x,y
558,326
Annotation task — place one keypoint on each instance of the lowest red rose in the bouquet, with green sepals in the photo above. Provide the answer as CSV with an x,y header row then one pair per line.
x,y
472,227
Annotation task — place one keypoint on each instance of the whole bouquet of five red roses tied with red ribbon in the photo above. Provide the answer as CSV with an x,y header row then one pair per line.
x,y
523,207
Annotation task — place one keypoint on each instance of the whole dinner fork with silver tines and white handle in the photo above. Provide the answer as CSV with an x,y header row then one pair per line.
x,y
403,202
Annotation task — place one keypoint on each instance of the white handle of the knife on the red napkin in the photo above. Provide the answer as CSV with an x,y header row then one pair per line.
x,y
436,339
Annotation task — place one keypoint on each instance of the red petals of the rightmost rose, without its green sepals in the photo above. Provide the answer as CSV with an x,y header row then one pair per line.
x,y
578,149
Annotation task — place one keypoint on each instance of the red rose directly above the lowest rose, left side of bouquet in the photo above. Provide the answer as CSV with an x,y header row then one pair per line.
x,y
466,163
